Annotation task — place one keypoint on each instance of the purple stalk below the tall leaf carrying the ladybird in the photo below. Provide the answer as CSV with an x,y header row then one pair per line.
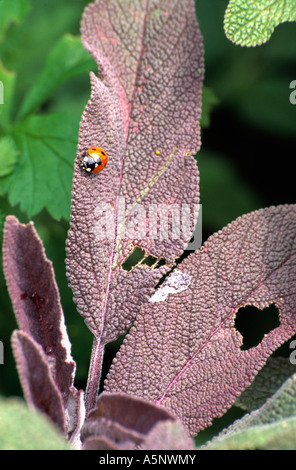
x,y
94,375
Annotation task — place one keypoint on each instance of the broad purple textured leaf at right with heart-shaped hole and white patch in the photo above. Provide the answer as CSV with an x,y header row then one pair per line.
x,y
184,351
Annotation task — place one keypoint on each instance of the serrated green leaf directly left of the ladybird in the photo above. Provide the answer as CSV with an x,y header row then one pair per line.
x,y
43,175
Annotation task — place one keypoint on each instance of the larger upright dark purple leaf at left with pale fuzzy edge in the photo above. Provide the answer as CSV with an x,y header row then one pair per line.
x,y
35,297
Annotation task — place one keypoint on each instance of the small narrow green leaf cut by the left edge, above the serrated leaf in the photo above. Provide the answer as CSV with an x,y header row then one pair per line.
x,y
7,87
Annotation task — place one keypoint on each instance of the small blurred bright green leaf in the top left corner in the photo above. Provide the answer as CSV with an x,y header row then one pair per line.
x,y
12,12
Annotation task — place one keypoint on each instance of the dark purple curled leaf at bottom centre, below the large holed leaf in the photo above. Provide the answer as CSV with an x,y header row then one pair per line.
x,y
124,422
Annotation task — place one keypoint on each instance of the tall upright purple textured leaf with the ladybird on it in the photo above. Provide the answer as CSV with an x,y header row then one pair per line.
x,y
147,99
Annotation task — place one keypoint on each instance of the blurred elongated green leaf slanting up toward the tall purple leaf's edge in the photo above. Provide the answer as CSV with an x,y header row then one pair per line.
x,y
66,59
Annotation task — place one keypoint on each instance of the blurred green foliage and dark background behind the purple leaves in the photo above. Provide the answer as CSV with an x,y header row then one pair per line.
x,y
248,134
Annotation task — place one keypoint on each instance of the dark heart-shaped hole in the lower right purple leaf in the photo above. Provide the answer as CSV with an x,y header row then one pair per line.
x,y
253,324
